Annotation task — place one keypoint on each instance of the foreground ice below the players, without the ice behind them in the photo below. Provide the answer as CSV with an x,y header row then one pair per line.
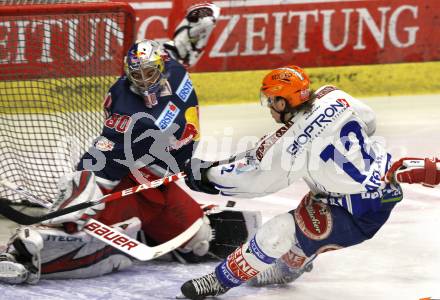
x,y
401,262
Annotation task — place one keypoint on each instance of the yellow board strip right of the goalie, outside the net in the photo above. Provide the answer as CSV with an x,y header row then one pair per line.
x,y
360,81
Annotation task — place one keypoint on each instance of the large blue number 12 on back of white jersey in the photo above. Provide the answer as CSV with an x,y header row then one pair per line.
x,y
330,152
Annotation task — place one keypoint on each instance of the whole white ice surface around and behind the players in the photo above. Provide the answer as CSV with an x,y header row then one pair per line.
x,y
401,262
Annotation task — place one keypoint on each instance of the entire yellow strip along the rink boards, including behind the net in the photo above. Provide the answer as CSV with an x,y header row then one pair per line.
x,y
225,87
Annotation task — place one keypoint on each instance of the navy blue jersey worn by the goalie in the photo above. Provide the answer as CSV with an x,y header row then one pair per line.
x,y
135,136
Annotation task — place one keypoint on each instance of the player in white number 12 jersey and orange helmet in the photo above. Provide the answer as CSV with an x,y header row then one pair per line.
x,y
326,140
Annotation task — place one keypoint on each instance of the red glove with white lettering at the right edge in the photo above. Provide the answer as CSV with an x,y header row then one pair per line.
x,y
425,171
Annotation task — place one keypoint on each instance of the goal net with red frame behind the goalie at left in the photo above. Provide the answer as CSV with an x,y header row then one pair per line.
x,y
57,62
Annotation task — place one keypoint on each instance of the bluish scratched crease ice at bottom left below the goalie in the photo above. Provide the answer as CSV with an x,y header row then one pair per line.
x,y
154,280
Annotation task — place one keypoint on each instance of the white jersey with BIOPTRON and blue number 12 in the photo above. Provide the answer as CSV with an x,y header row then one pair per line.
x,y
331,147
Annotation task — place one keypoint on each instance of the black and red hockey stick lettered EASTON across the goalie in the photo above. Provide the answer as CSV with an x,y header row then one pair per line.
x,y
23,219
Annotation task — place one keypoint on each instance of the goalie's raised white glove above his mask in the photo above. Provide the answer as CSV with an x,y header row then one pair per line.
x,y
192,34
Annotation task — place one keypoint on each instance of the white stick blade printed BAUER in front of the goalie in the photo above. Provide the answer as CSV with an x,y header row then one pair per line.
x,y
135,248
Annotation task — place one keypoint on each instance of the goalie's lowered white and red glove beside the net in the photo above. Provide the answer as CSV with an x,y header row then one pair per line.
x,y
76,188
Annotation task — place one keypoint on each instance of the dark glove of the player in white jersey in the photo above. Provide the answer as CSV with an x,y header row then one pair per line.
x,y
196,179
